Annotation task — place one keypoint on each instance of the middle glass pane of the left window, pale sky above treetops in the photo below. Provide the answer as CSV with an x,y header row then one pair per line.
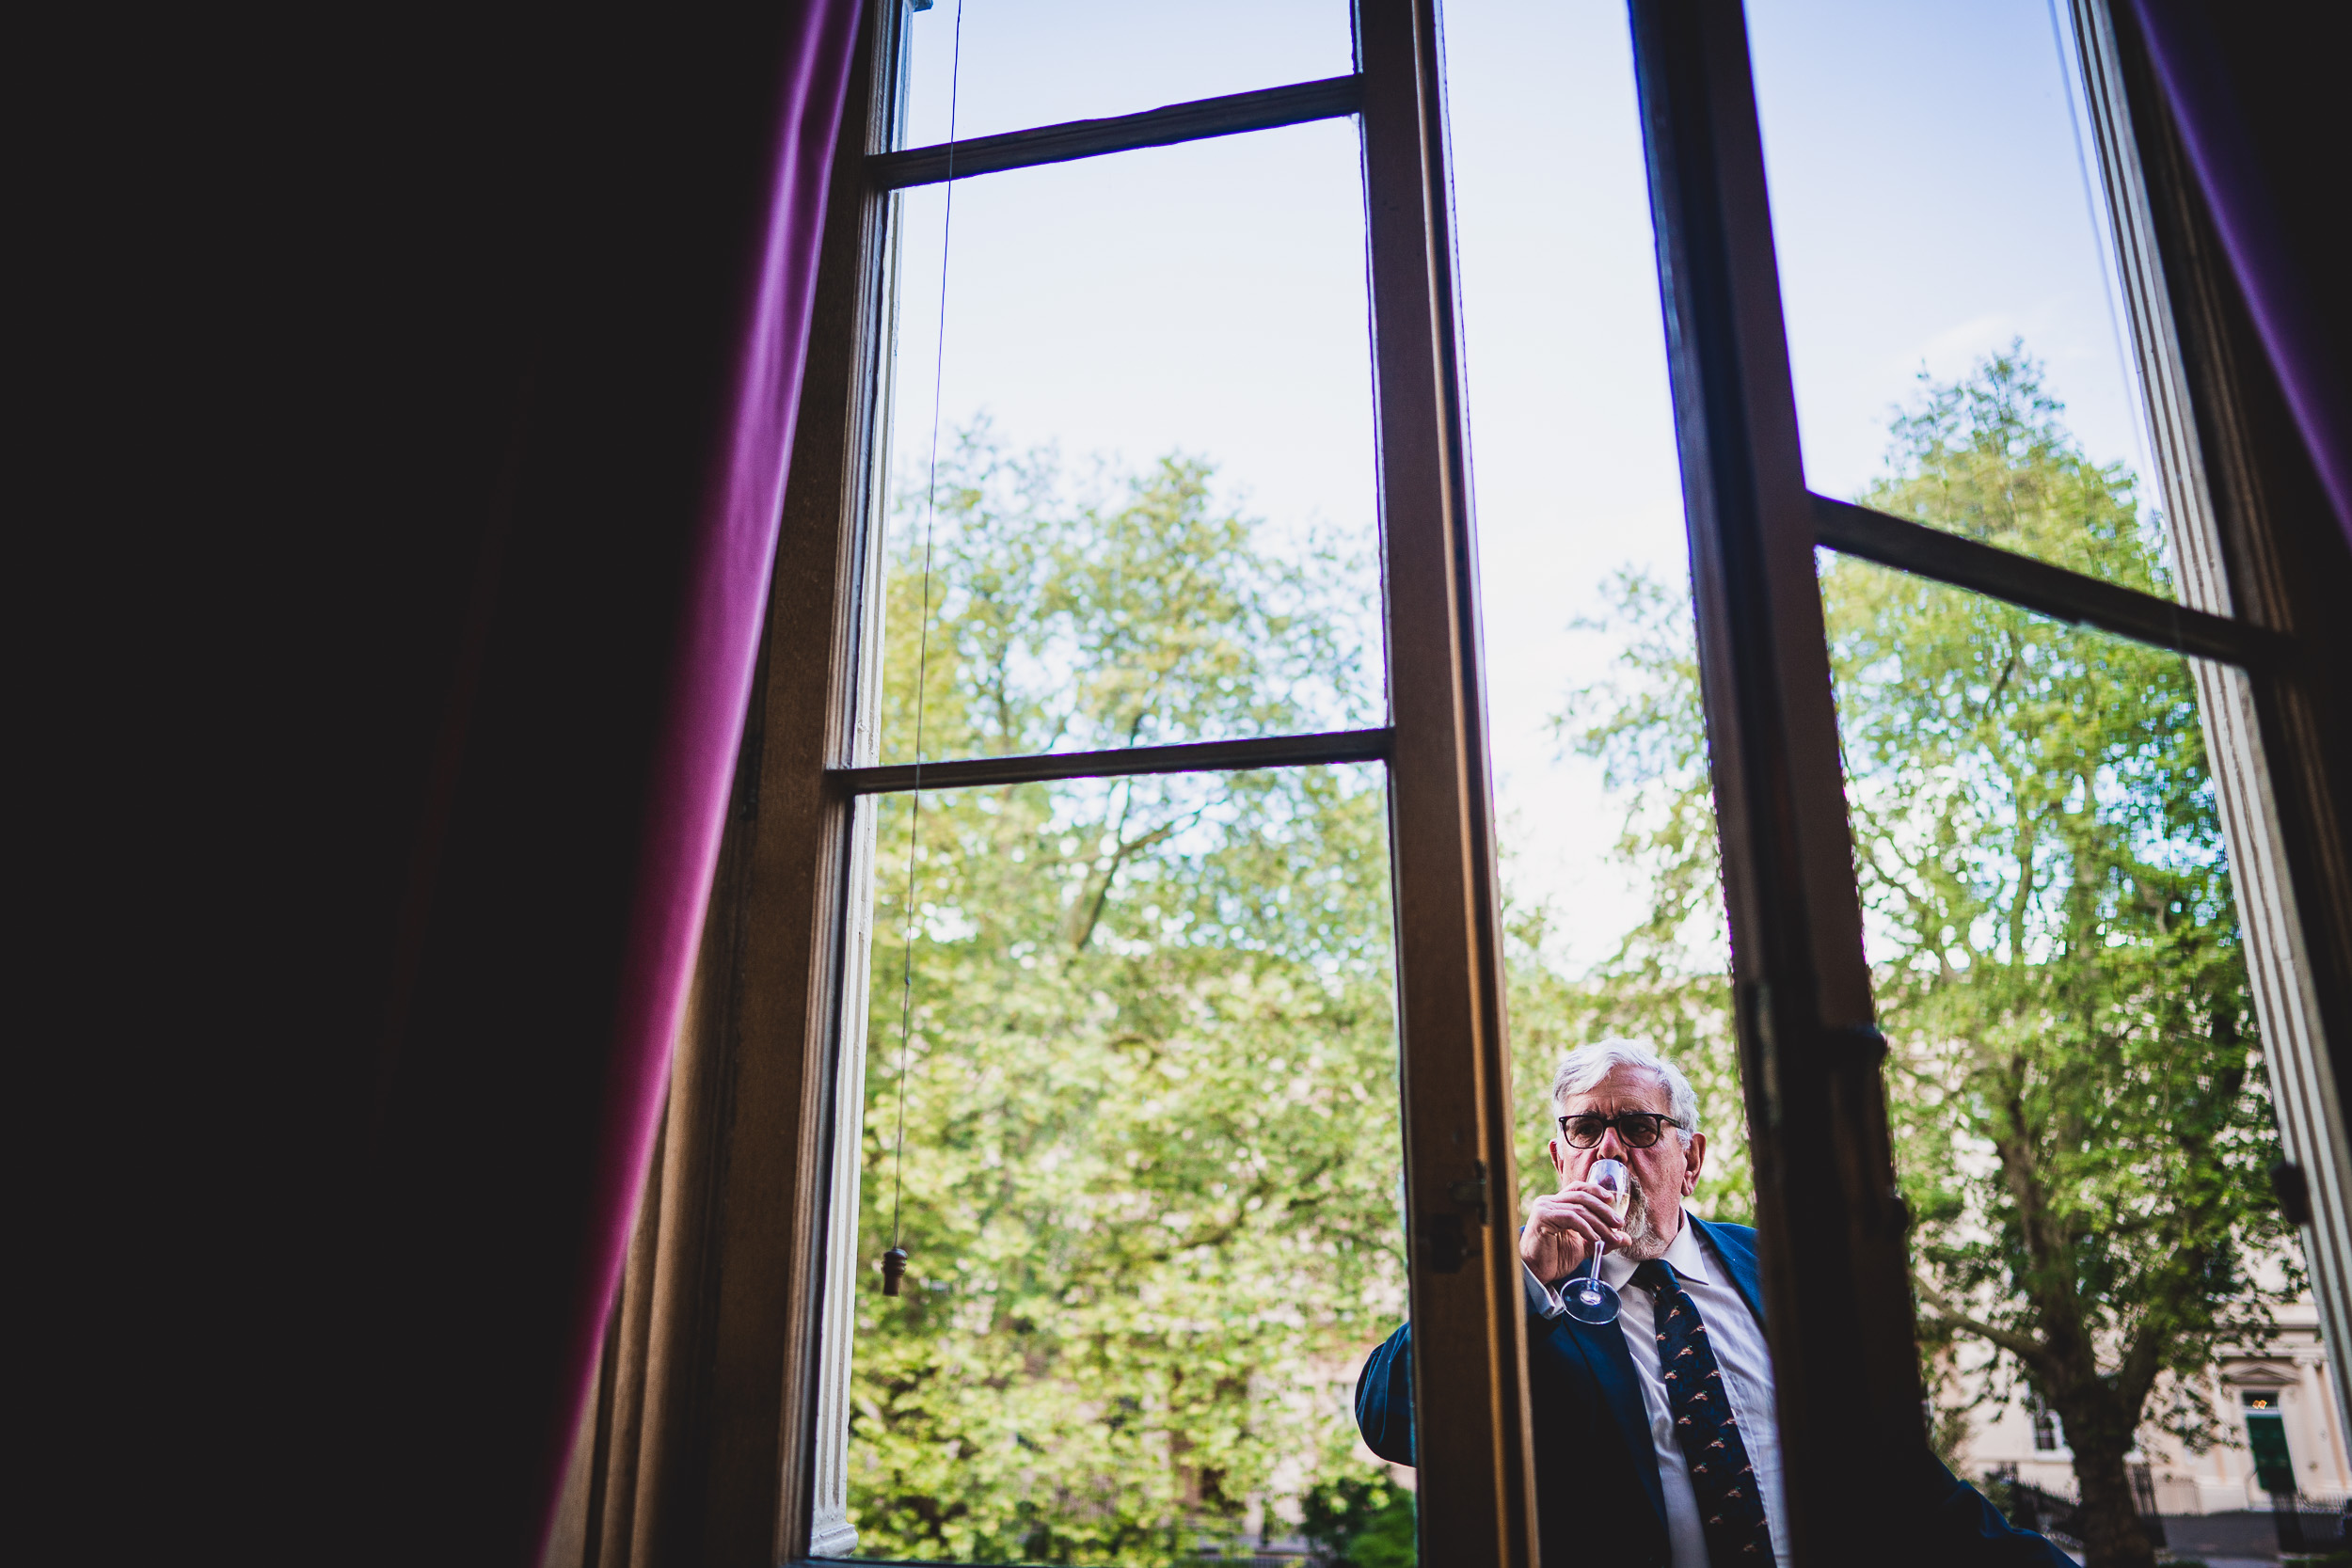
x,y
1156,478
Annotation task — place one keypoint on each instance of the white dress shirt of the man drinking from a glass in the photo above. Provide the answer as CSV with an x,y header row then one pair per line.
x,y
1739,1348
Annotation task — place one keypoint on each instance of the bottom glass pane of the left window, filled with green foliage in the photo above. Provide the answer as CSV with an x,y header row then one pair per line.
x,y
1151,1167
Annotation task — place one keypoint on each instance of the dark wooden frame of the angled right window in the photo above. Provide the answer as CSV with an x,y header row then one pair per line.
x,y
1836,1264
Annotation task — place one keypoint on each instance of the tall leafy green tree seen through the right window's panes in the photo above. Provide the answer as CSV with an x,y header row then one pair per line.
x,y
2080,1113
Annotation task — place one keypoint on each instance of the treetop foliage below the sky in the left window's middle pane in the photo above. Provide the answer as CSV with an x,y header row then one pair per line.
x,y
1132,615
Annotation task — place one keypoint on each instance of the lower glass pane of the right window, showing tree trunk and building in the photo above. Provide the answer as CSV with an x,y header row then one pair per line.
x,y
2078,1085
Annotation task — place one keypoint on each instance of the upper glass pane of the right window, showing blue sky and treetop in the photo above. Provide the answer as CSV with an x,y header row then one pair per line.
x,y
1949,279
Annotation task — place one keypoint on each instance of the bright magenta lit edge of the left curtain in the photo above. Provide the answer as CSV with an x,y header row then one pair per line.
x,y
711,678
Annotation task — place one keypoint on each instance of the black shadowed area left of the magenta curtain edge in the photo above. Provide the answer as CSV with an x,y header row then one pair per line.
x,y
382,361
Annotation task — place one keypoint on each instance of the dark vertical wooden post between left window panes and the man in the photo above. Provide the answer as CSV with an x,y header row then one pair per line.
x,y
1471,1405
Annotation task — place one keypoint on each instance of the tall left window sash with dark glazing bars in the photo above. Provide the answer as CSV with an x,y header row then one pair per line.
x,y
1149,704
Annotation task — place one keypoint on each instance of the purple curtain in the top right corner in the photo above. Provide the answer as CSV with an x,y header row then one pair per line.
x,y
2191,67
